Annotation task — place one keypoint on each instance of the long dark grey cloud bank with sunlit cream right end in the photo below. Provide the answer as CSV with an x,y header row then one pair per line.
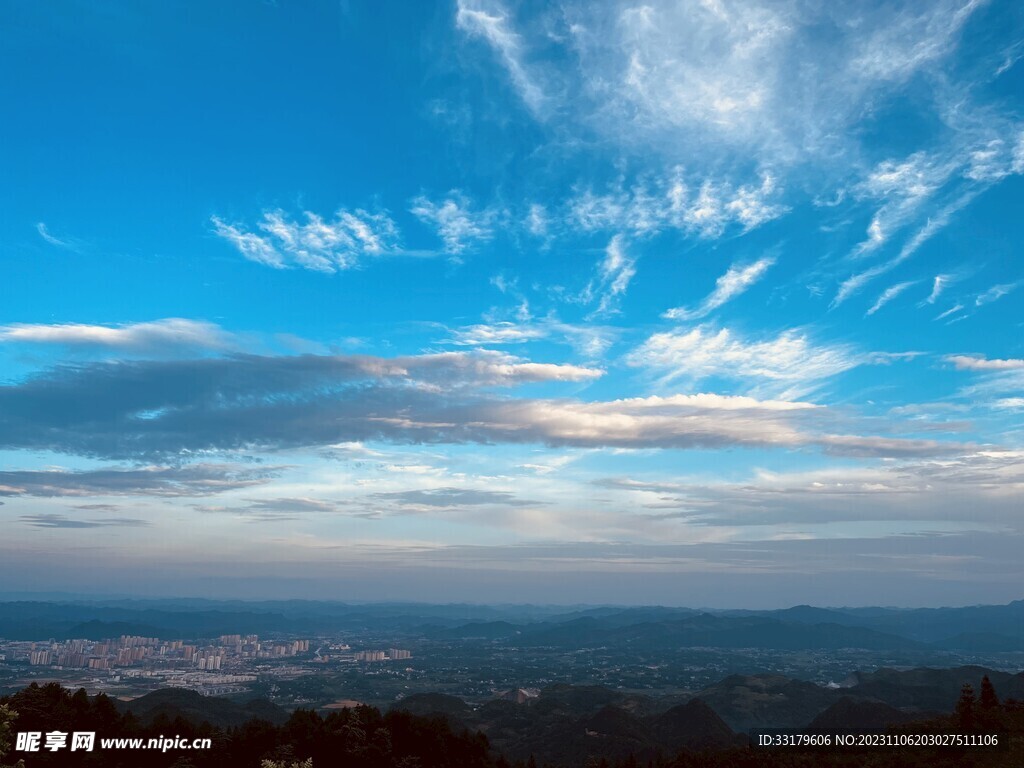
x,y
140,410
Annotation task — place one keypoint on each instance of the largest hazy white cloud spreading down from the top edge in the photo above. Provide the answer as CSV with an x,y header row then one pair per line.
x,y
700,80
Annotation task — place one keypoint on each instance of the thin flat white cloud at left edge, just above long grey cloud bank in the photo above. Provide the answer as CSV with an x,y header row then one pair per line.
x,y
175,333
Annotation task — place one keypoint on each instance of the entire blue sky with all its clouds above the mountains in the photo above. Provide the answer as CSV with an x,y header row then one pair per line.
x,y
709,304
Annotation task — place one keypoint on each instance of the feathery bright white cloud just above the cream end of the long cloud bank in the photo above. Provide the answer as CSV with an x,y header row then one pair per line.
x,y
789,364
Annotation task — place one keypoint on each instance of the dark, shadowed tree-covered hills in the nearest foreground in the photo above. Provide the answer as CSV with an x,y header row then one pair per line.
x,y
577,729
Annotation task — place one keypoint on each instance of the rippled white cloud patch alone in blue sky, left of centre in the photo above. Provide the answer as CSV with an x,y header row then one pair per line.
x,y
315,244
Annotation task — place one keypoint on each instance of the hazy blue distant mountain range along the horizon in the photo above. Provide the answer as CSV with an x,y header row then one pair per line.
x,y
978,629
